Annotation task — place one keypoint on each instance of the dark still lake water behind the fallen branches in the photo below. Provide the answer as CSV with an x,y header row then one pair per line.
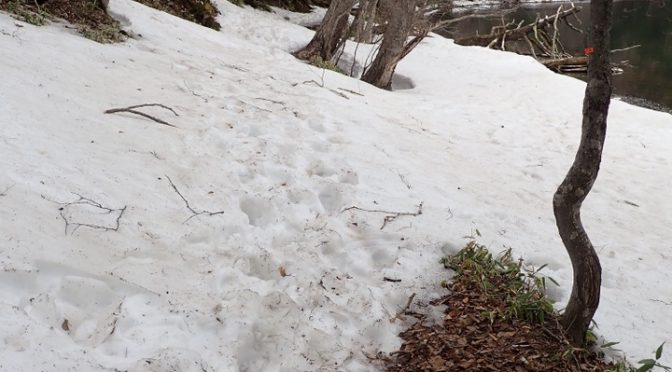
x,y
647,74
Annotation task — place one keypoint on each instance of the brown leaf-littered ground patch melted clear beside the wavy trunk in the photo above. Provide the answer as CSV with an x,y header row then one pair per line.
x,y
488,326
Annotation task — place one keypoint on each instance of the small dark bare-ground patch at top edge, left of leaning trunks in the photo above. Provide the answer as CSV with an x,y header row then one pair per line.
x,y
203,12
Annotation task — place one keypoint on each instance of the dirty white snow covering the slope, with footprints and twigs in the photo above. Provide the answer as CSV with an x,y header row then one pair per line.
x,y
482,139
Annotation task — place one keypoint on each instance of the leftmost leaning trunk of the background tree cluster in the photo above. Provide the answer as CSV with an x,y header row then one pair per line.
x,y
330,34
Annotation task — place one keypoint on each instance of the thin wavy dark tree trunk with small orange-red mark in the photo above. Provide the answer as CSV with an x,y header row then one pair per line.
x,y
567,200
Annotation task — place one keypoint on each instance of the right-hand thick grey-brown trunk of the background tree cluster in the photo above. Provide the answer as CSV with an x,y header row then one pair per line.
x,y
401,16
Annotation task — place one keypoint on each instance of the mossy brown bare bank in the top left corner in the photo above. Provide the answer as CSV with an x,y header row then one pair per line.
x,y
88,17
